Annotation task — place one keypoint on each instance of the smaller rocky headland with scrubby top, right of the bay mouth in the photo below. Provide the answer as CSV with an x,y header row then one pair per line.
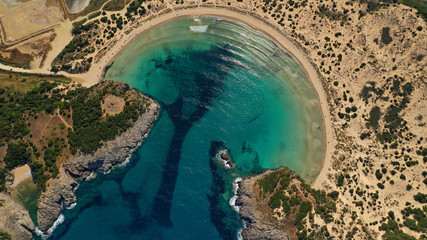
x,y
278,204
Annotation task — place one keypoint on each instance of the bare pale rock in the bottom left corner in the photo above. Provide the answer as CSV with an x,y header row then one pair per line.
x,y
15,219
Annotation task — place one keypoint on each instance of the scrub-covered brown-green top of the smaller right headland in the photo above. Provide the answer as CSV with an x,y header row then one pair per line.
x,y
296,207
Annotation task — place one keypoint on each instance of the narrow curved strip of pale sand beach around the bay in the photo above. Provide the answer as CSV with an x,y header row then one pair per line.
x,y
97,70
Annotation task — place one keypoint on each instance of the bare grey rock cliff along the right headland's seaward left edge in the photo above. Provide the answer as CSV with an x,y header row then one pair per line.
x,y
257,227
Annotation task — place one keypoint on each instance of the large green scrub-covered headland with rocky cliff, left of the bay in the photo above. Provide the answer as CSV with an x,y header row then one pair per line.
x,y
65,133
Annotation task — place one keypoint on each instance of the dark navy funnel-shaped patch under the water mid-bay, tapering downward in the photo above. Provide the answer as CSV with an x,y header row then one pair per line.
x,y
200,94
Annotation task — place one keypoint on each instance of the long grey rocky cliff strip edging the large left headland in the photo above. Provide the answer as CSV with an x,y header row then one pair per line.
x,y
61,191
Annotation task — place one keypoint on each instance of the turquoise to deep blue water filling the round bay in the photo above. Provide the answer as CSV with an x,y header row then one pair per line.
x,y
217,81
